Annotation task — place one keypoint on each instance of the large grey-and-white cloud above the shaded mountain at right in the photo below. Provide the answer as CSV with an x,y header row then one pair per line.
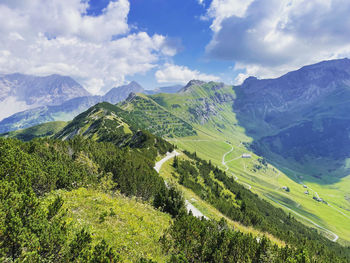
x,y
270,37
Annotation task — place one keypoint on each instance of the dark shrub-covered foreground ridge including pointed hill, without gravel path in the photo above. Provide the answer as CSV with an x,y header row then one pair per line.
x,y
74,200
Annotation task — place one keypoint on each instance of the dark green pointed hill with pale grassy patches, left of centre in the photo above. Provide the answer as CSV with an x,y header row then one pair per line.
x,y
106,122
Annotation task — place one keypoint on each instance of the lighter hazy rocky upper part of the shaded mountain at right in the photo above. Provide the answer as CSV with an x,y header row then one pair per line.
x,y
298,95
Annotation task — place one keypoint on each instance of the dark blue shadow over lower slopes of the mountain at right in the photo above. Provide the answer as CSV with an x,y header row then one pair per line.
x,y
317,151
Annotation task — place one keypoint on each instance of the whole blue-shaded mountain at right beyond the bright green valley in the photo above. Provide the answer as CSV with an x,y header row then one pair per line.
x,y
302,117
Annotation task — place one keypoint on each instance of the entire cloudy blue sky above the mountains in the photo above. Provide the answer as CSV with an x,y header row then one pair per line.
x,y
103,43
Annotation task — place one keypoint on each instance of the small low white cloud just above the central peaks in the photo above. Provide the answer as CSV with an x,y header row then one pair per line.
x,y
171,73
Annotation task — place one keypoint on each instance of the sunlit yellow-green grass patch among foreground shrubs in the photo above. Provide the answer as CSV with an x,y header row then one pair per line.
x,y
131,227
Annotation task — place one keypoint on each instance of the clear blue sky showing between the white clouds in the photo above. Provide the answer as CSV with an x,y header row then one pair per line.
x,y
181,22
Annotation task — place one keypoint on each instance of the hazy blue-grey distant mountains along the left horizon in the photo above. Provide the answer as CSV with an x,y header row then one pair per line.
x,y
54,98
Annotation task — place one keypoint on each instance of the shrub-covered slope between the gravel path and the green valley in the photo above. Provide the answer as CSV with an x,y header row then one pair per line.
x,y
234,201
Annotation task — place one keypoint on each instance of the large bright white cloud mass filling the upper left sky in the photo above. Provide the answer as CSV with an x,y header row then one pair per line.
x,y
44,37
